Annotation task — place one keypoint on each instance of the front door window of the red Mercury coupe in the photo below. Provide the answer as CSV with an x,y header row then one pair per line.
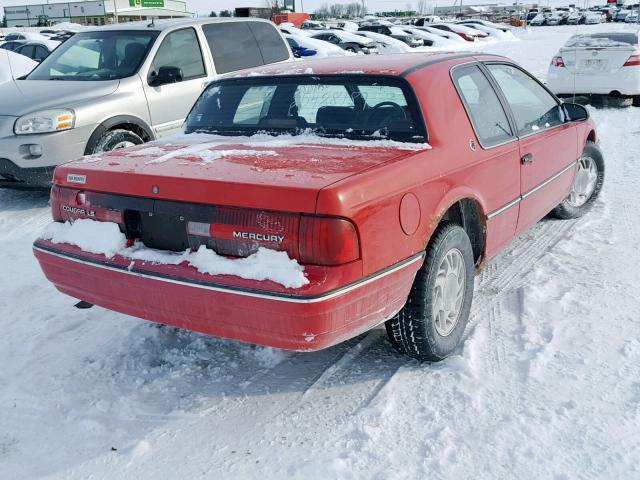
x,y
533,107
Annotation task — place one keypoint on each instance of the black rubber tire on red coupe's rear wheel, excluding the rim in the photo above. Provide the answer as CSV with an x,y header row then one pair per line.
x,y
413,330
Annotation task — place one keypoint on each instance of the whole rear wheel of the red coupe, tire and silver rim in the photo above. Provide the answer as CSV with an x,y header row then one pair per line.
x,y
431,324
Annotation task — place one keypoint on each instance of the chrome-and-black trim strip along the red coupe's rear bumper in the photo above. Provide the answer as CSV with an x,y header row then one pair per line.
x,y
245,293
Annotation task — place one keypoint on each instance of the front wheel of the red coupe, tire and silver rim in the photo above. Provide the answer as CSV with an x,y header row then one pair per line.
x,y
586,186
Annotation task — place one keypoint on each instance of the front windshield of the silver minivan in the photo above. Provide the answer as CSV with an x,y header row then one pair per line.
x,y
94,56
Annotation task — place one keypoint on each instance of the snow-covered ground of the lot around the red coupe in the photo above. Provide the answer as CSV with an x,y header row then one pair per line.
x,y
547,385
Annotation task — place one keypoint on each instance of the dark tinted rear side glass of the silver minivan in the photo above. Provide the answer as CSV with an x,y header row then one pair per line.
x,y
239,45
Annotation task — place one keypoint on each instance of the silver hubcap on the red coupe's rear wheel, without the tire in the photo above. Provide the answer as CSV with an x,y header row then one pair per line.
x,y
448,292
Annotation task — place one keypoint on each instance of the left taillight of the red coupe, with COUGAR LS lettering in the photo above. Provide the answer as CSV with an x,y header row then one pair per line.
x,y
69,204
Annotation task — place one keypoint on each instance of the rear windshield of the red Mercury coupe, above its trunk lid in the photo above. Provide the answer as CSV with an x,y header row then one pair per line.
x,y
350,106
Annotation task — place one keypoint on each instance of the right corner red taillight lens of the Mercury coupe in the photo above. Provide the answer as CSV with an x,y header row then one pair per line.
x,y
327,241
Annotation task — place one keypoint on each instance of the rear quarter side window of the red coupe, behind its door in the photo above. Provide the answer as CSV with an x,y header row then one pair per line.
x,y
487,115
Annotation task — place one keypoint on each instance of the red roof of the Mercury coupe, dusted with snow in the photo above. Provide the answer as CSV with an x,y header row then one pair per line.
x,y
393,65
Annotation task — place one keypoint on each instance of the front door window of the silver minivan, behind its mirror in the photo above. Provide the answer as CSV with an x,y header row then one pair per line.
x,y
180,49
